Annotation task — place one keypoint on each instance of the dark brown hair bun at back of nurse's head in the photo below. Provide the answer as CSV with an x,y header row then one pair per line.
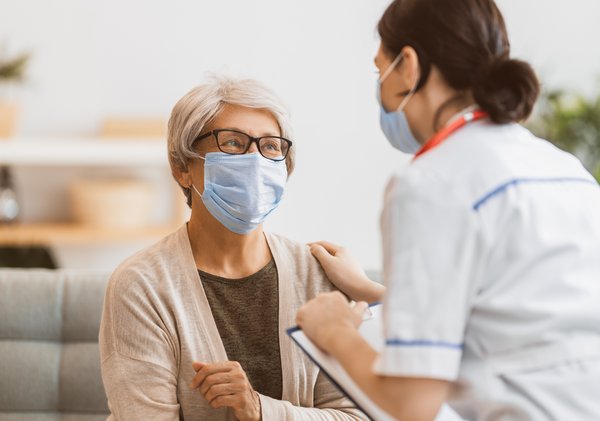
x,y
506,89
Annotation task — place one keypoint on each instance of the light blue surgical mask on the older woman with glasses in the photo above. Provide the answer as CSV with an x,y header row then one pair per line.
x,y
240,191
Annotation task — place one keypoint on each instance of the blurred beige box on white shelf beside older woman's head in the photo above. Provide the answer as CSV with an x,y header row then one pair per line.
x,y
134,128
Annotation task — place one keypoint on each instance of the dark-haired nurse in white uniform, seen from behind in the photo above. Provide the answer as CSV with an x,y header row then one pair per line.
x,y
491,237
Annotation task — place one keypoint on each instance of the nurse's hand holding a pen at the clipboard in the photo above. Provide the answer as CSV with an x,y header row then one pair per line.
x,y
328,315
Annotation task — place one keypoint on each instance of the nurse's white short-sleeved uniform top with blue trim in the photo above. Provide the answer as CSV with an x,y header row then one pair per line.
x,y
492,264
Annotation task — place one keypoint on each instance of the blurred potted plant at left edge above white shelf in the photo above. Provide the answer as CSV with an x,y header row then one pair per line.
x,y
12,70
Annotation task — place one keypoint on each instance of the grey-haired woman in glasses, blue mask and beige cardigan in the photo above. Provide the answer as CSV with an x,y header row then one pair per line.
x,y
194,326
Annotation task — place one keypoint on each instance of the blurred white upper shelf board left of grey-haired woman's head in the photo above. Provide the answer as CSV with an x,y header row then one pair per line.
x,y
84,151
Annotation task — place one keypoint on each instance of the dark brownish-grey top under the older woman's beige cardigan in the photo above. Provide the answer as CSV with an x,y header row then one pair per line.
x,y
246,312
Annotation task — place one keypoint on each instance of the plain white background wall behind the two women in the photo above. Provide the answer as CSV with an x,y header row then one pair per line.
x,y
137,57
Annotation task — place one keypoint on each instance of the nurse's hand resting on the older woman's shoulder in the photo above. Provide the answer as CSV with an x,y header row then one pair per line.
x,y
344,271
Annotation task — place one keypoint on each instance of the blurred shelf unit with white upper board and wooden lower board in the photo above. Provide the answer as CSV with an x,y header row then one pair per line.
x,y
94,152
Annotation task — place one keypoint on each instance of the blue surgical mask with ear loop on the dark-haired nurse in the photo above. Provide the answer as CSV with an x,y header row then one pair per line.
x,y
394,124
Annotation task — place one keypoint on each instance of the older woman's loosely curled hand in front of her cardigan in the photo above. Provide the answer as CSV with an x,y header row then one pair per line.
x,y
225,384
